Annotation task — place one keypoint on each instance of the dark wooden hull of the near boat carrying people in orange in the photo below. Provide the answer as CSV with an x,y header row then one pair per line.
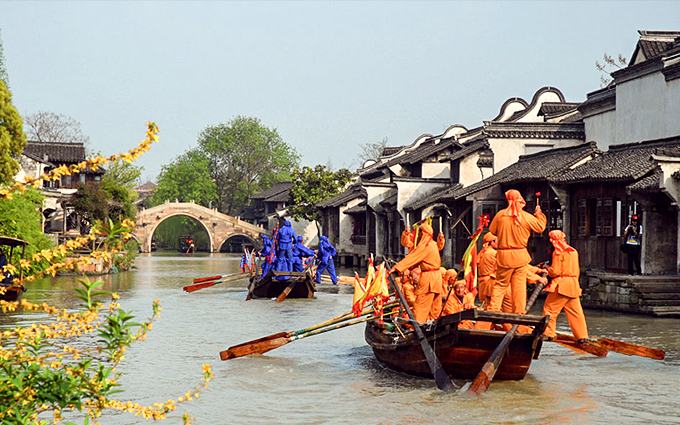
x,y
462,352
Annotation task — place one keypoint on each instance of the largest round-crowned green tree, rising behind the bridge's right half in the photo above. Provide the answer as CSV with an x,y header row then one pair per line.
x,y
245,158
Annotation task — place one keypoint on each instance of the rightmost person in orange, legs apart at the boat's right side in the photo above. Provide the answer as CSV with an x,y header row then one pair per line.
x,y
564,289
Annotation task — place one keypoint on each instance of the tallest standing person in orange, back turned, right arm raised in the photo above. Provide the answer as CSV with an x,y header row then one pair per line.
x,y
513,226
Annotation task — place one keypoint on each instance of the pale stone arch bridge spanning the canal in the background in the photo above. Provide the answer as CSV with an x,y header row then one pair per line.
x,y
220,227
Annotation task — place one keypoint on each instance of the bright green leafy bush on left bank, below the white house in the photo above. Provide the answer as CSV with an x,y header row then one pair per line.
x,y
20,217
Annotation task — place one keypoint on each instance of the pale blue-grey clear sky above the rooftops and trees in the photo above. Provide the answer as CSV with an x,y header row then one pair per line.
x,y
328,76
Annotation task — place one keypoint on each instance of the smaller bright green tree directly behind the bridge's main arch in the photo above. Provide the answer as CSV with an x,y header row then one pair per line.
x,y
185,179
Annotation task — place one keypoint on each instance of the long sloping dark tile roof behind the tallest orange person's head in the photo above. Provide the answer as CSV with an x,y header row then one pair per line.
x,y
544,165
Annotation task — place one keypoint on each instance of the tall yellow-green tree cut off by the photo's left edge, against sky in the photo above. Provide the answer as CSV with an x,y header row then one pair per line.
x,y
12,136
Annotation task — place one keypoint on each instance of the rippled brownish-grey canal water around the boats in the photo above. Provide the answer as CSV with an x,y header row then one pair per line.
x,y
333,378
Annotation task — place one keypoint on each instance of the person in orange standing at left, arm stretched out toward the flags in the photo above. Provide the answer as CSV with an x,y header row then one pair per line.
x,y
426,256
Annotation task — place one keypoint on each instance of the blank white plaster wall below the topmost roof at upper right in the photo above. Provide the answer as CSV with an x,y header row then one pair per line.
x,y
647,108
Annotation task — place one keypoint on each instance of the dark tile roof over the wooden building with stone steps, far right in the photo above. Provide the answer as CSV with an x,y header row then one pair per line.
x,y
621,163
